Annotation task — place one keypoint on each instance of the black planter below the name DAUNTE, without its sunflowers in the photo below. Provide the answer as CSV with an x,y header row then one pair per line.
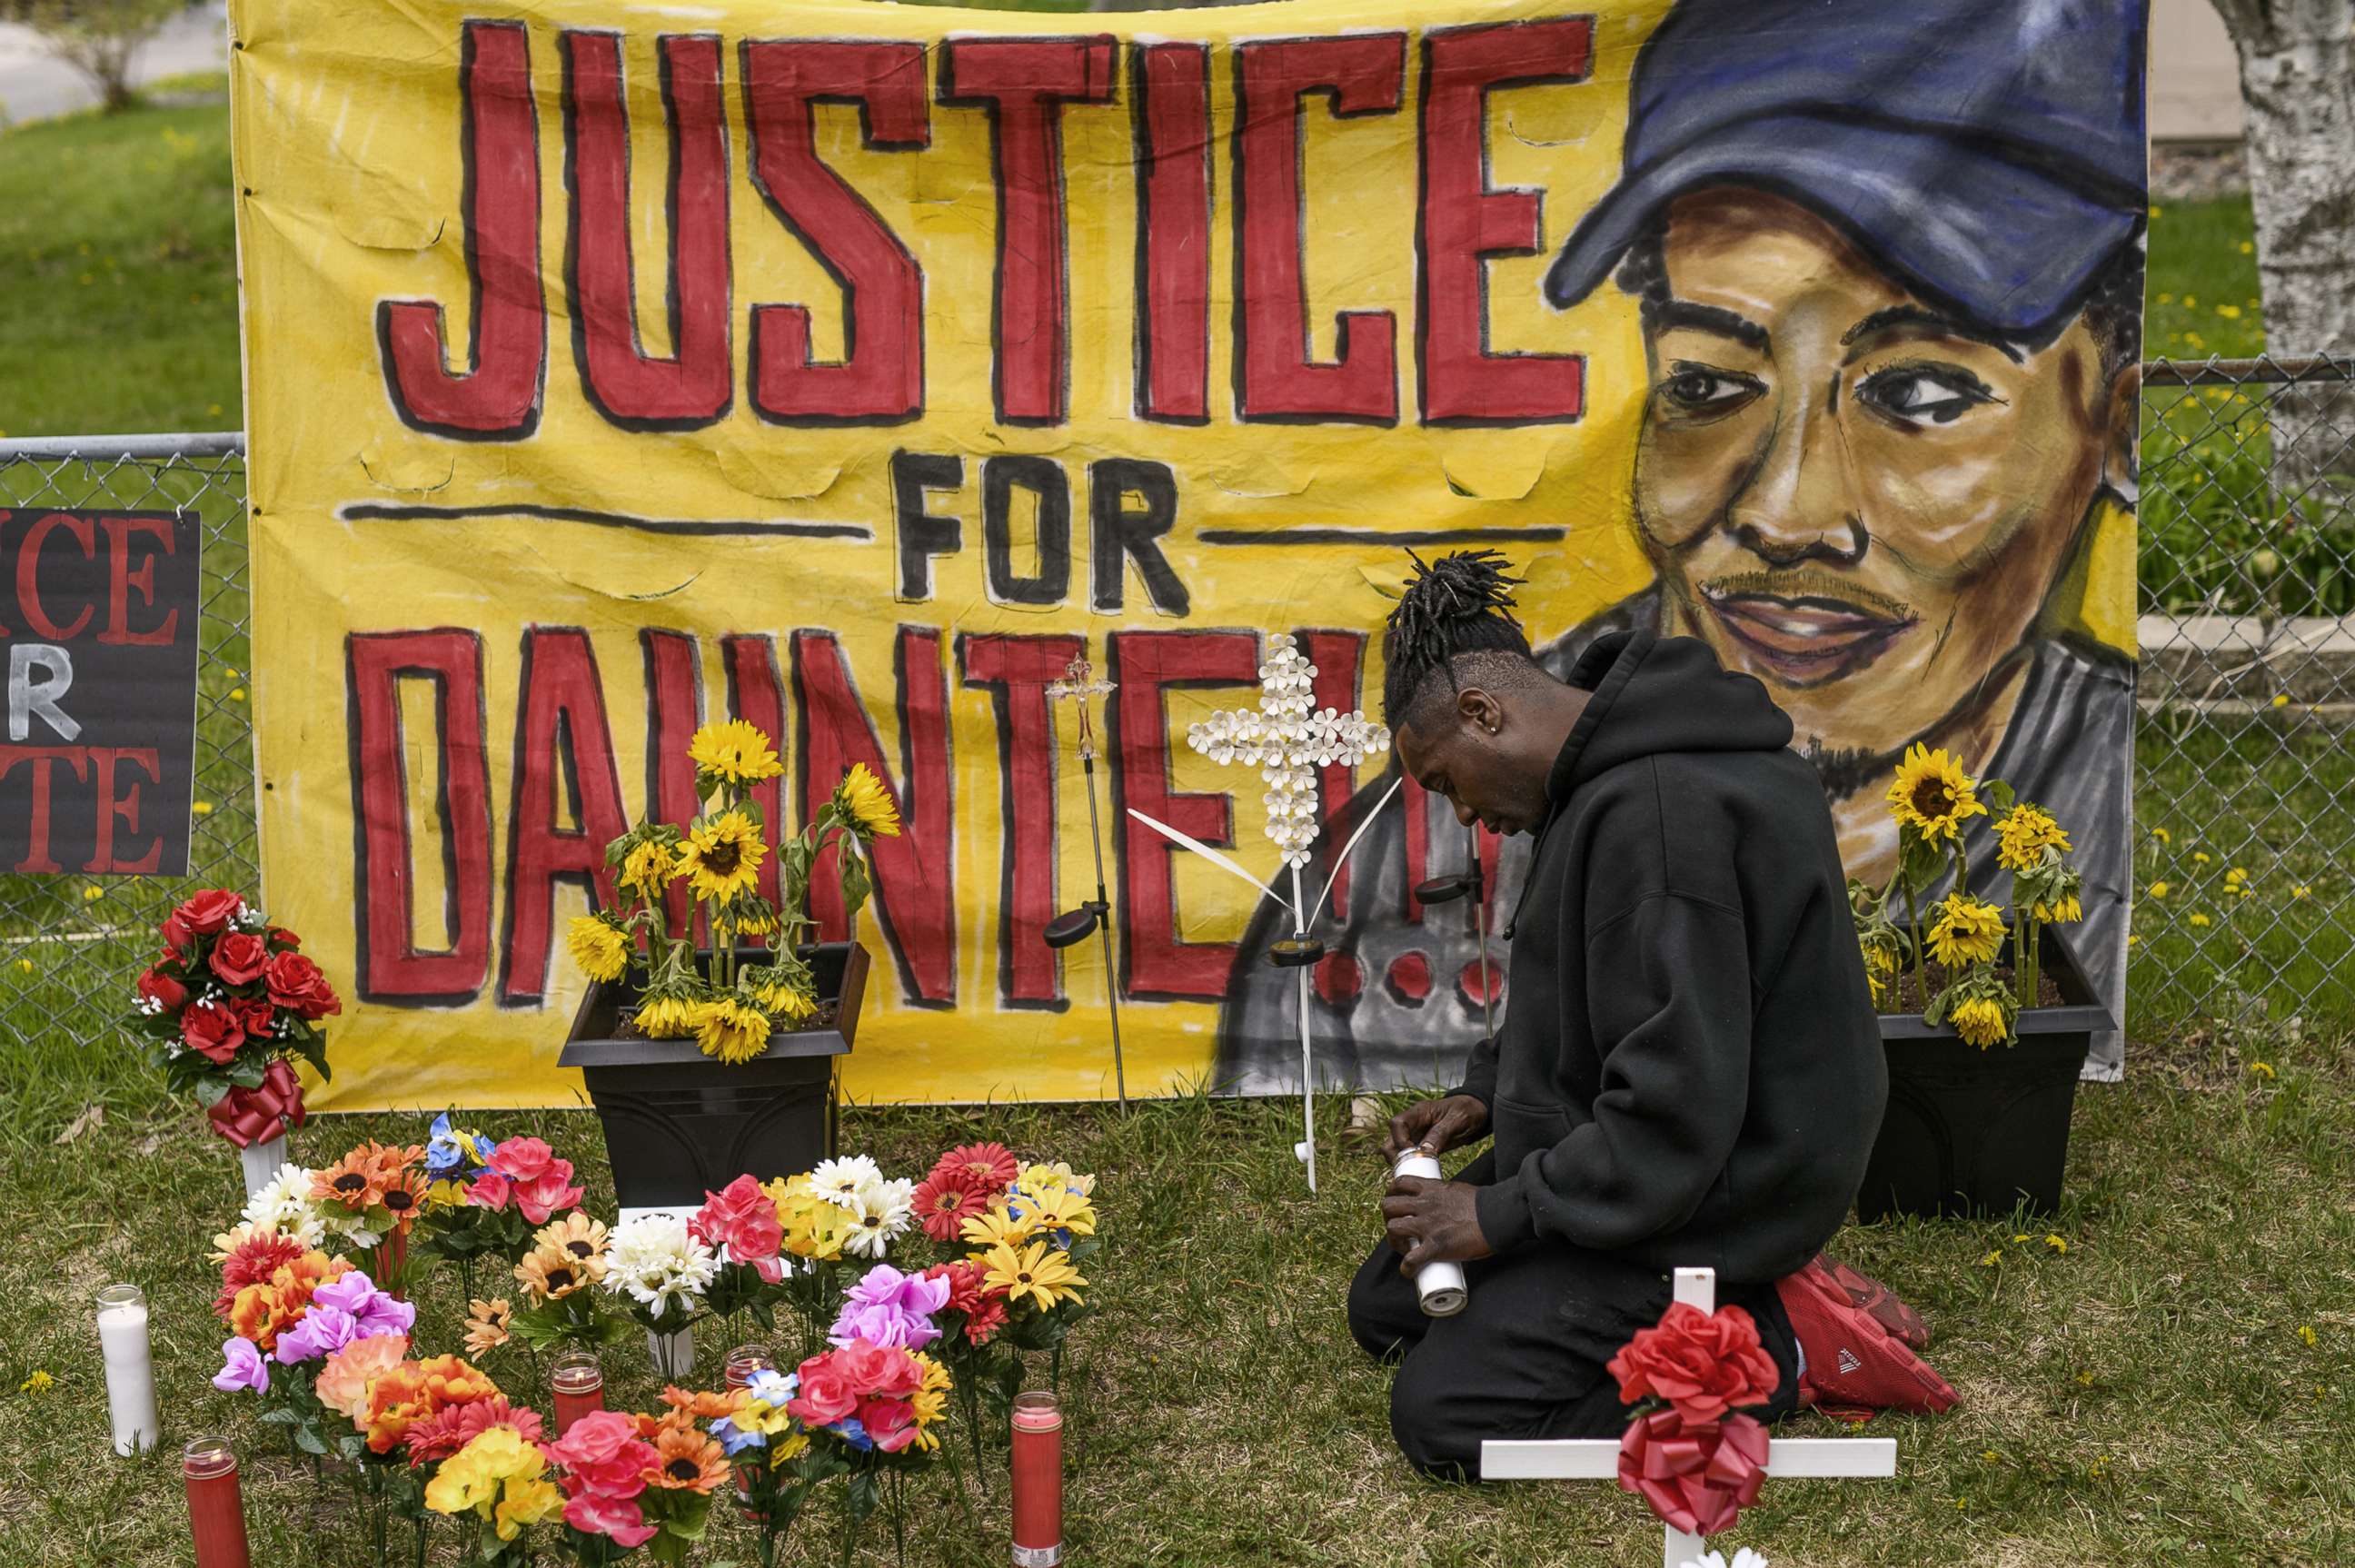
x,y
679,1124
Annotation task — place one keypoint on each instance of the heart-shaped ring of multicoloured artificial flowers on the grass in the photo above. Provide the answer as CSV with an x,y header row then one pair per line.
x,y
333,1353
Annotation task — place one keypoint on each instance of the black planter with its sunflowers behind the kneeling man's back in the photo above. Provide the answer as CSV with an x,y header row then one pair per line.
x,y
1986,1051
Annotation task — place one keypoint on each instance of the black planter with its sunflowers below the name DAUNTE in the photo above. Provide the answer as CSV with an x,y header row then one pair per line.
x,y
715,1061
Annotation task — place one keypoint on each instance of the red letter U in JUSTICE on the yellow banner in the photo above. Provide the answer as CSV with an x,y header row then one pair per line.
x,y
630,387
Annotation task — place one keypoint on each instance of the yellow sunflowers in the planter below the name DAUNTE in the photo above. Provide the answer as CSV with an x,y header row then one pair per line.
x,y
734,1006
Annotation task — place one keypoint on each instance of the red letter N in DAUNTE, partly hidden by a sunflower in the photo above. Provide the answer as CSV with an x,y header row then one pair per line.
x,y
915,875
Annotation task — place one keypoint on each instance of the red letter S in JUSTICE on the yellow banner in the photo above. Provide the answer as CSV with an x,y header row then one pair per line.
x,y
880,380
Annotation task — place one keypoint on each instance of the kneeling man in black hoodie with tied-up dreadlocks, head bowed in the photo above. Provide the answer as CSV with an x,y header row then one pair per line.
x,y
1687,1075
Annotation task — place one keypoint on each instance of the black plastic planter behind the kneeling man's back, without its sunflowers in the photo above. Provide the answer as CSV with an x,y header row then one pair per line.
x,y
1982,1131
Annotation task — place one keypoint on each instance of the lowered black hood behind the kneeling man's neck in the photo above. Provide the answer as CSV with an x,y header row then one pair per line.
x,y
1657,696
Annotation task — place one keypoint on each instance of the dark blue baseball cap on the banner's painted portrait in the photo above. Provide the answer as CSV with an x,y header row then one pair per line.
x,y
1989,154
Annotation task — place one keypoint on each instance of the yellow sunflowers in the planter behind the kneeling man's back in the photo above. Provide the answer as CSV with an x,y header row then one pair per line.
x,y
1932,804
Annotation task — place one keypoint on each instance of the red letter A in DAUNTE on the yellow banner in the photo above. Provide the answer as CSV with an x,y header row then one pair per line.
x,y
564,773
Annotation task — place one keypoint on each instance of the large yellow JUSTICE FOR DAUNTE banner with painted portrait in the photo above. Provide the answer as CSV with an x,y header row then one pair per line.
x,y
854,368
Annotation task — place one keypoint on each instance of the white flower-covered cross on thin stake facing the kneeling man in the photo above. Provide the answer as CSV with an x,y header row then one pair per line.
x,y
1289,740
